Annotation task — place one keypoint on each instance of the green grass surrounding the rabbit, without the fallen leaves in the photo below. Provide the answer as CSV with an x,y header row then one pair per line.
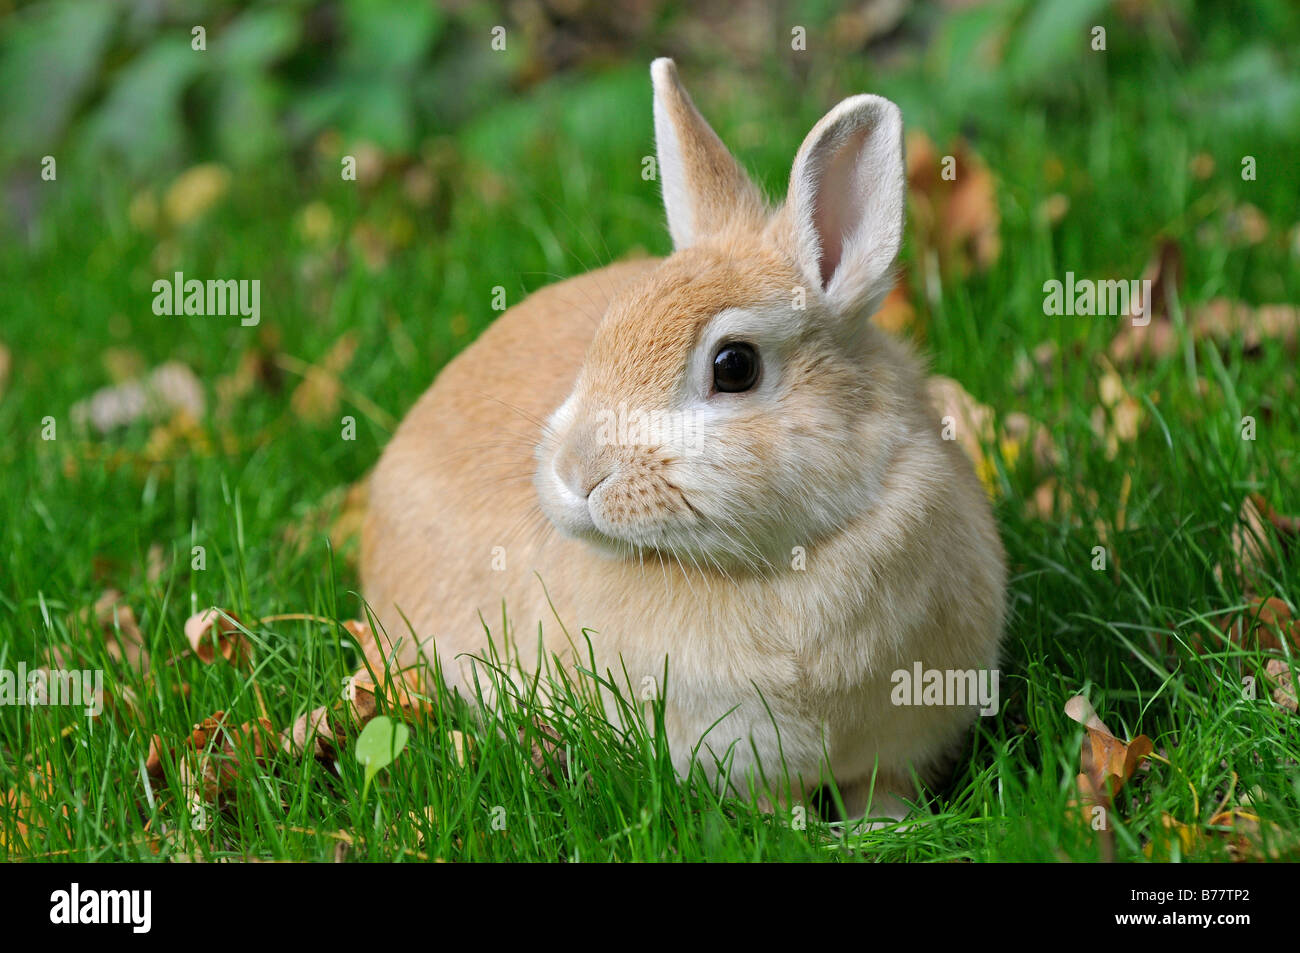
x,y
549,187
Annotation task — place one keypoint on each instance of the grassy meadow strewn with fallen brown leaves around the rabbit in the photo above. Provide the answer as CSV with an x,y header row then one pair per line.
x,y
1120,463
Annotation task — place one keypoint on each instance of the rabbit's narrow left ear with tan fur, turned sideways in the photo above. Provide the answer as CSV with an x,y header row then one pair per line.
x,y
704,187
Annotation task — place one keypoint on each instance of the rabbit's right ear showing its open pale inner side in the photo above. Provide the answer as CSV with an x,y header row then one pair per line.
x,y
847,203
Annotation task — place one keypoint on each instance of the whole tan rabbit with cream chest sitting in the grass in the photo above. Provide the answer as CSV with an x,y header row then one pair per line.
x,y
779,532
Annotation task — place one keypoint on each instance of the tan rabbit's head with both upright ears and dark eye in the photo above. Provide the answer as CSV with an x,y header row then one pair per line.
x,y
738,402
